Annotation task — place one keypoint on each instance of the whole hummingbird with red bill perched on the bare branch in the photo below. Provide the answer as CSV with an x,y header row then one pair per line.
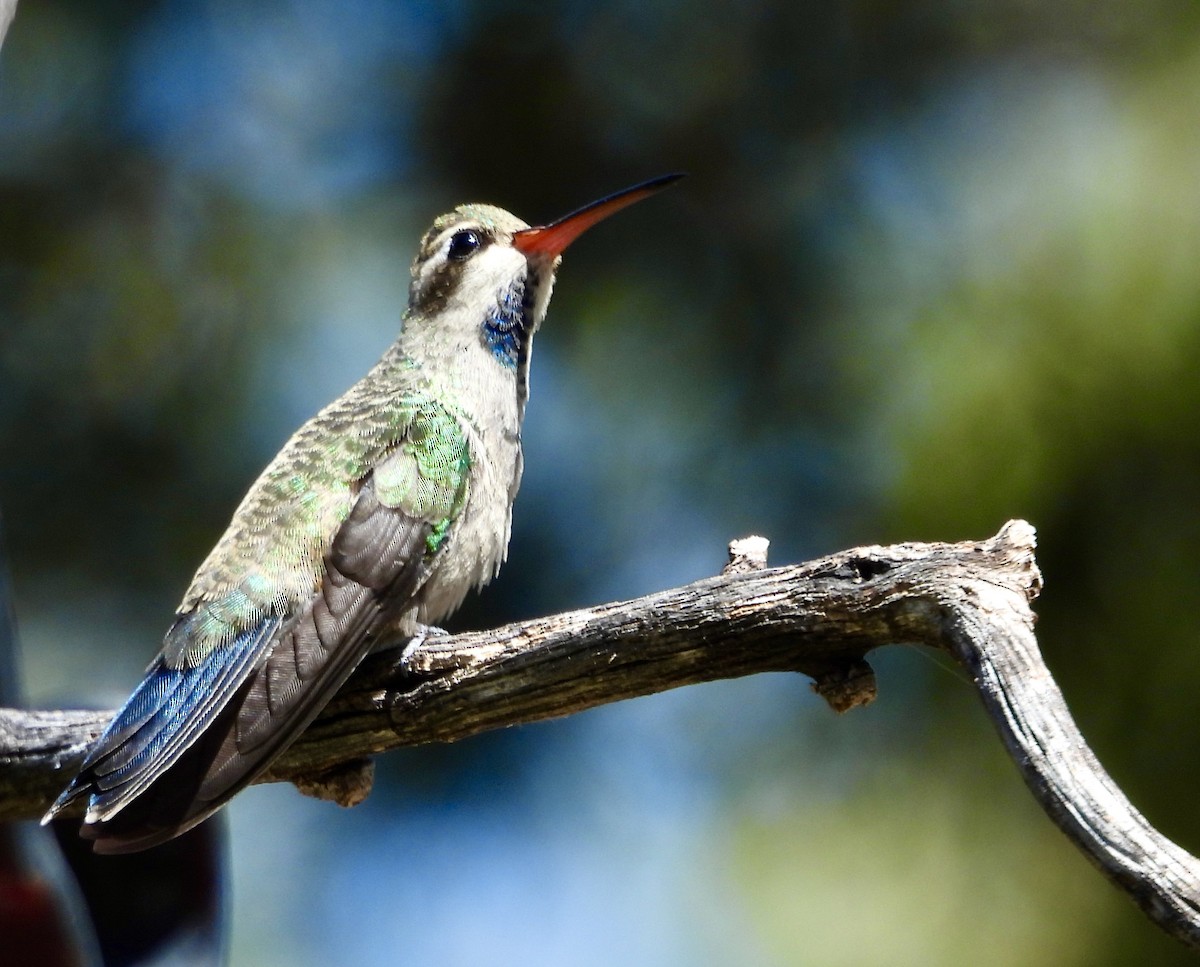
x,y
375,520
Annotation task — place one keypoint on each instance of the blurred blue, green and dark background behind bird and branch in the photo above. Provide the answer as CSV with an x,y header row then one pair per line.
x,y
938,266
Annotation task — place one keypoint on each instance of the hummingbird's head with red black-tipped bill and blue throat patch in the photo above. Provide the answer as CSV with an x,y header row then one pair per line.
x,y
494,273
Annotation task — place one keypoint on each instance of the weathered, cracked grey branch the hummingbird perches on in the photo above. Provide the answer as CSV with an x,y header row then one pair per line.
x,y
821,618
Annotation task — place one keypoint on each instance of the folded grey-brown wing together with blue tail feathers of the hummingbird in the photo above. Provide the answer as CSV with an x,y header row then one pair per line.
x,y
175,754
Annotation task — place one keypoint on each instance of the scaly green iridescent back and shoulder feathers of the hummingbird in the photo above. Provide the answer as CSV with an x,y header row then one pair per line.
x,y
269,561
